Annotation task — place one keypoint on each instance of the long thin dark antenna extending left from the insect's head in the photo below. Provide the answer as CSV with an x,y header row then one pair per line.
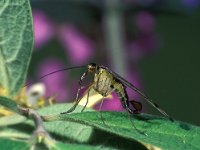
x,y
56,71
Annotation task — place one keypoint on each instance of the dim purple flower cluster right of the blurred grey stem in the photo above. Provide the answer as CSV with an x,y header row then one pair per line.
x,y
146,41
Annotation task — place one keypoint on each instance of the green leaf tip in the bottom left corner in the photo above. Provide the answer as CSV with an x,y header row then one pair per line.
x,y
13,144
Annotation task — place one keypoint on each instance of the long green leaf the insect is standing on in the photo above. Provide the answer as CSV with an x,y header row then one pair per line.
x,y
160,132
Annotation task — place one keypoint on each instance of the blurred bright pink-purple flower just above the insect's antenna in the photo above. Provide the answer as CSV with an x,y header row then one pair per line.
x,y
78,46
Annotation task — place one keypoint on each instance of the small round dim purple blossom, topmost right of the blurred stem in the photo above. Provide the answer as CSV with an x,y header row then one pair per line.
x,y
145,22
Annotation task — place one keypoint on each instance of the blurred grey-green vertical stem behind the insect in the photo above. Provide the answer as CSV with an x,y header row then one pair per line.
x,y
114,35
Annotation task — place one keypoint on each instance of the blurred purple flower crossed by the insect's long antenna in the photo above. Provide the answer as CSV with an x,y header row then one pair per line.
x,y
56,83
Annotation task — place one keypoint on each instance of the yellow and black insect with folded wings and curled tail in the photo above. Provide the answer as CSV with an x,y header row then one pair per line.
x,y
107,81
